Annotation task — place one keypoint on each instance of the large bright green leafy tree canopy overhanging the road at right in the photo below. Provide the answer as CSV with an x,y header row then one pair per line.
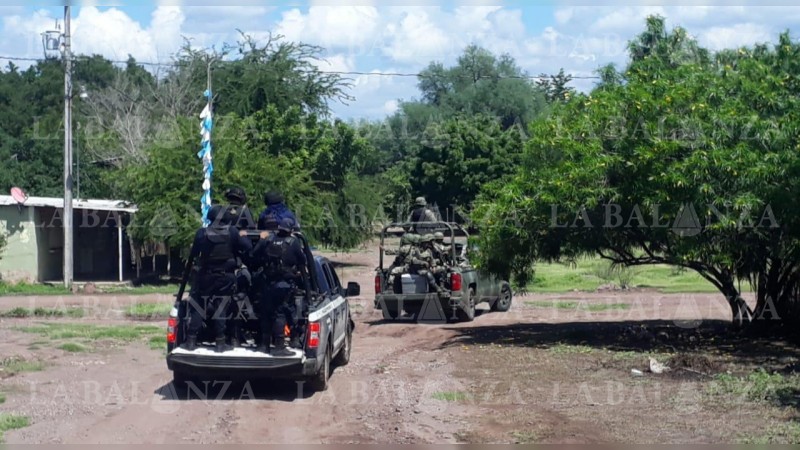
x,y
685,159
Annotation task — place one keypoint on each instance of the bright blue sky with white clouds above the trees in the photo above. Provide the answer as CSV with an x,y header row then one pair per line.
x,y
394,37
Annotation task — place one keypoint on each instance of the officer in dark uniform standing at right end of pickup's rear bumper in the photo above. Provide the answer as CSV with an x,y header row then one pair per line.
x,y
284,264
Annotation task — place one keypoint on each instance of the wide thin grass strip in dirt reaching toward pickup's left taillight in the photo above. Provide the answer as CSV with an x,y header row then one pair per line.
x,y
124,333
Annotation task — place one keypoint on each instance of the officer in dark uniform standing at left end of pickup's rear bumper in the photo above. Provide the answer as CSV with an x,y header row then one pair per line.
x,y
217,249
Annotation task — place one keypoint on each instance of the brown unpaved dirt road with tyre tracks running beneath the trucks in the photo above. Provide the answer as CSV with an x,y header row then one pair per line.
x,y
533,374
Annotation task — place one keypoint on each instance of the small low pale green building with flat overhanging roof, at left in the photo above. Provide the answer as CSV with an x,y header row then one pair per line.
x,y
34,232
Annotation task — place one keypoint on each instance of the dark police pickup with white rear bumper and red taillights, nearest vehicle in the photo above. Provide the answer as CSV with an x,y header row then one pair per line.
x,y
327,331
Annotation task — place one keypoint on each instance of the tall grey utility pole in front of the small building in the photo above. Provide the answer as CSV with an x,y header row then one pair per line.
x,y
67,54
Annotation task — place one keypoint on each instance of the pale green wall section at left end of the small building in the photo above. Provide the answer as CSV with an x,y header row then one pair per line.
x,y
19,259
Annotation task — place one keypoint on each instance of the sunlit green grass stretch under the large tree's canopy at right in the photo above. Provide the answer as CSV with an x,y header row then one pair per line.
x,y
590,273
